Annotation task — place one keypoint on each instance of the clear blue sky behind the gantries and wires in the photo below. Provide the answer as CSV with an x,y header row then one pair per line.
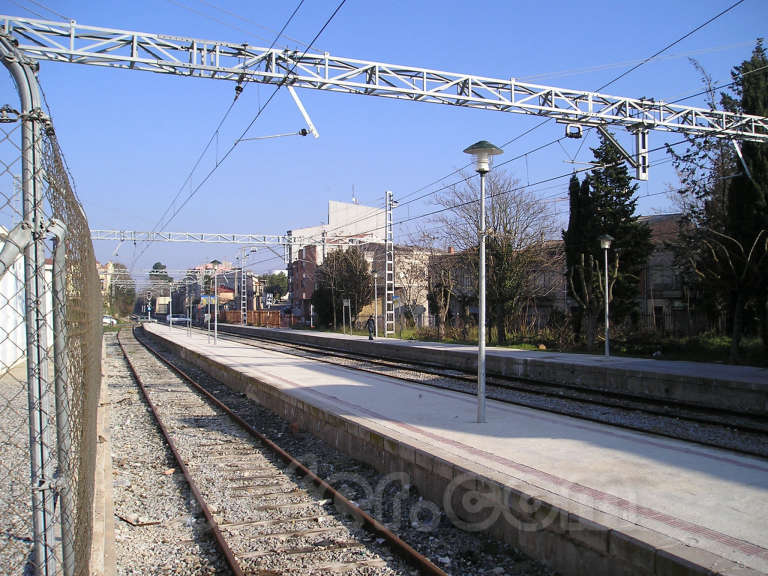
x,y
131,138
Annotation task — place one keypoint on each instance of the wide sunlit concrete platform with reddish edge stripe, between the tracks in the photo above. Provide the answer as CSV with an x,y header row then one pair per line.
x,y
582,497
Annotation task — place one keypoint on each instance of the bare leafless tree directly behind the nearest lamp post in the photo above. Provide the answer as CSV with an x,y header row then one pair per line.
x,y
519,226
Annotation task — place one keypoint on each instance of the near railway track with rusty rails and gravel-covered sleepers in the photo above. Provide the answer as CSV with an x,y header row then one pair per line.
x,y
268,513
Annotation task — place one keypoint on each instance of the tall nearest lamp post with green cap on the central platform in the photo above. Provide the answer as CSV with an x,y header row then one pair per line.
x,y
482,152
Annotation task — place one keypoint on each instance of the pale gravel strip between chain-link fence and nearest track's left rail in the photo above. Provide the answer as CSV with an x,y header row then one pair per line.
x,y
158,529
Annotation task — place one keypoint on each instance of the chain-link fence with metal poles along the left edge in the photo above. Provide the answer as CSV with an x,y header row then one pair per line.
x,y
50,345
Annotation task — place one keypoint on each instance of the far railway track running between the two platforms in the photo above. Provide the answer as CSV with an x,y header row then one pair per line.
x,y
721,429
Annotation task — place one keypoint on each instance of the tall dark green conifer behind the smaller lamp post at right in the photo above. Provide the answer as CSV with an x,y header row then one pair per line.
x,y
604,203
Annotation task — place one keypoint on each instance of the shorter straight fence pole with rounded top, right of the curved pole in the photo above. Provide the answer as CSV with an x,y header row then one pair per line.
x,y
61,385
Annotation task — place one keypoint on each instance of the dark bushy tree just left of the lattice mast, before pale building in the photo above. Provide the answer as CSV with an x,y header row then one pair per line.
x,y
343,275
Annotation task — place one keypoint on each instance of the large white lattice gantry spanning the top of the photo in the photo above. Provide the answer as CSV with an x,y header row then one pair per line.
x,y
167,54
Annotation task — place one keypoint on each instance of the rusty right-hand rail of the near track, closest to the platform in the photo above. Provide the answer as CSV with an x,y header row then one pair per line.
x,y
408,553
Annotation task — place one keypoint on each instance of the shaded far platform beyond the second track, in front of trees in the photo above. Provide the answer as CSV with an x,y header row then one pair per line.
x,y
742,389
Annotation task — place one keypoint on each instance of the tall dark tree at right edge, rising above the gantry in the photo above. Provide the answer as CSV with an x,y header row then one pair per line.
x,y
725,199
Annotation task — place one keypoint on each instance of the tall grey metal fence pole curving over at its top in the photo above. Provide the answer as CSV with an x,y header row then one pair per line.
x,y
38,385
